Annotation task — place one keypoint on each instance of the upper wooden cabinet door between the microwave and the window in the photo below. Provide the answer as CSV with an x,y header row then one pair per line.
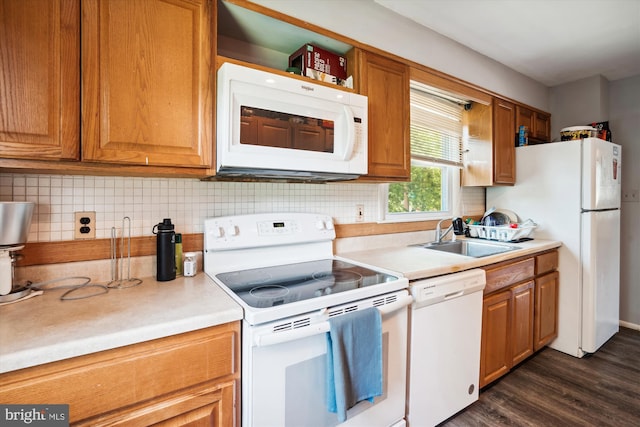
x,y
386,83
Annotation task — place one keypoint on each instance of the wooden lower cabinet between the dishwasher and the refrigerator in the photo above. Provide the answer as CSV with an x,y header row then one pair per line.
x,y
519,313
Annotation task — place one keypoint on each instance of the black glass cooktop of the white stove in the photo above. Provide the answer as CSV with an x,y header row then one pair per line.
x,y
284,284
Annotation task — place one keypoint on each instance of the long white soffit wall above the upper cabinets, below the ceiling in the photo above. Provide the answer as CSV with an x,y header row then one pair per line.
x,y
374,25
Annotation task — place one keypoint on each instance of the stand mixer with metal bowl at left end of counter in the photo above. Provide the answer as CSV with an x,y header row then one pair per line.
x,y
15,220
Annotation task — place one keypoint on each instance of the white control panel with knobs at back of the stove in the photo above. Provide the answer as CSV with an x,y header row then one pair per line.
x,y
263,230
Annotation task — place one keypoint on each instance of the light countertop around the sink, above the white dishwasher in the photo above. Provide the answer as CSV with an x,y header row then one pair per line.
x,y
415,262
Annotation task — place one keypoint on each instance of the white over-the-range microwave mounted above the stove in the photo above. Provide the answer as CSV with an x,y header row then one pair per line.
x,y
277,127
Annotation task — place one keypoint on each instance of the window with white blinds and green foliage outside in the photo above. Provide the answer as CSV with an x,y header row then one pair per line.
x,y
436,158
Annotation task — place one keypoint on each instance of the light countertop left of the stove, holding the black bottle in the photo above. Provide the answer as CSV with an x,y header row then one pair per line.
x,y
44,329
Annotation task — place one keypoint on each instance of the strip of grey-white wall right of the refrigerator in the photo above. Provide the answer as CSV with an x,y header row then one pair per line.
x,y
624,119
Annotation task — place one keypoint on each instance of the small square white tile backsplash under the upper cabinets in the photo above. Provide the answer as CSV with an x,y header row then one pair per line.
x,y
146,201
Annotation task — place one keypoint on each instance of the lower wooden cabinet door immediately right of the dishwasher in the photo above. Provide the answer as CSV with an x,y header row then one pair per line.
x,y
495,352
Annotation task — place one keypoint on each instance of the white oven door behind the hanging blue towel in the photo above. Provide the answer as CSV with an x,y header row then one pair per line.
x,y
283,373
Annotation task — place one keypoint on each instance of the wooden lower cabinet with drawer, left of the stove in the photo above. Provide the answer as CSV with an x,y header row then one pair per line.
x,y
187,379
